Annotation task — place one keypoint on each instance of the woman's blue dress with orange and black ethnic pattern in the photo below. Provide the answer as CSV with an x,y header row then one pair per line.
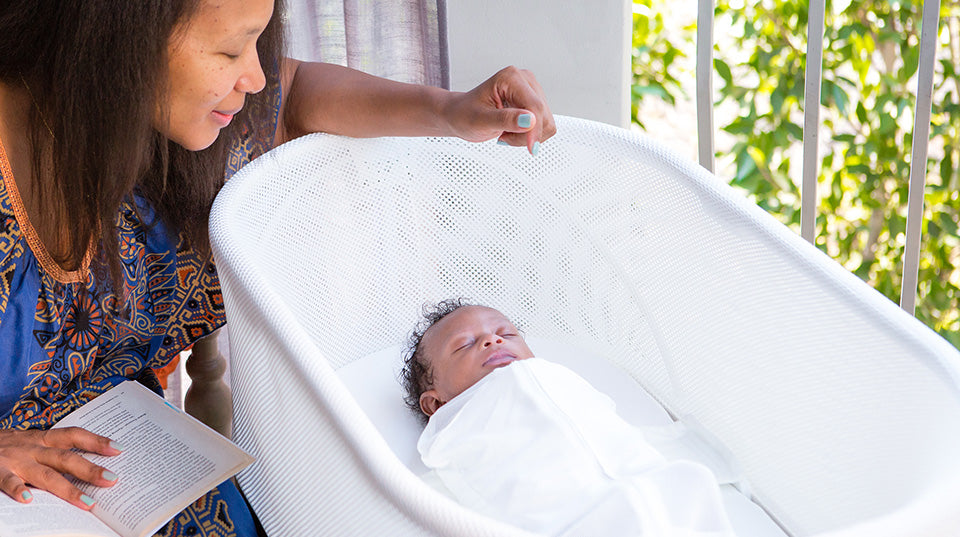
x,y
64,342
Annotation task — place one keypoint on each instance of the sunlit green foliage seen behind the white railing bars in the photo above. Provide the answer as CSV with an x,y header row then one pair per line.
x,y
871,56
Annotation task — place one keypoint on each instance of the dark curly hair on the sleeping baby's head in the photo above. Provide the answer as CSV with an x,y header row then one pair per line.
x,y
417,374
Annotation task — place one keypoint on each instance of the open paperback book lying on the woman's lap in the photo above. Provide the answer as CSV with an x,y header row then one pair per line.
x,y
169,460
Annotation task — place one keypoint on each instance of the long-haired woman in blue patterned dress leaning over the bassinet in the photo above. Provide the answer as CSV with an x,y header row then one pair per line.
x,y
118,121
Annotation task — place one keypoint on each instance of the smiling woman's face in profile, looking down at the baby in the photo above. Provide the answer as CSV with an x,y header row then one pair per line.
x,y
213,65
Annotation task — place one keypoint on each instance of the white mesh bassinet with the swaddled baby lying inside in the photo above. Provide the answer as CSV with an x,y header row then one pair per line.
x,y
842,412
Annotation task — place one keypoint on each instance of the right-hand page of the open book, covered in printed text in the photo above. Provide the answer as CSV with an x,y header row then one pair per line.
x,y
169,460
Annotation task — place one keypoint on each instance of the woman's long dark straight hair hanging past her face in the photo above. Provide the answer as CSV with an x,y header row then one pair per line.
x,y
96,69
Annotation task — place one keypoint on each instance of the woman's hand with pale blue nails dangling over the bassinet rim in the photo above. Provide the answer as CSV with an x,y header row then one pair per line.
x,y
510,106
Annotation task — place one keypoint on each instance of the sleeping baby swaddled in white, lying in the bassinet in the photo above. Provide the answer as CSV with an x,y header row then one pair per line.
x,y
531,443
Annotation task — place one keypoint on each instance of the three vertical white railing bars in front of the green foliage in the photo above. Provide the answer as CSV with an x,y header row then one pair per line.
x,y
811,126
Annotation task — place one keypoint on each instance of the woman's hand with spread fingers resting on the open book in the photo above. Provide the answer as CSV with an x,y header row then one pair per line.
x,y
40,458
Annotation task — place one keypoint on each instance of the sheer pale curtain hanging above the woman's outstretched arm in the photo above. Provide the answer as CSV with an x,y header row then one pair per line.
x,y
402,40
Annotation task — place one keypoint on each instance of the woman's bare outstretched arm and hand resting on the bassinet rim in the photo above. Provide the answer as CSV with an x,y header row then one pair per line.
x,y
321,97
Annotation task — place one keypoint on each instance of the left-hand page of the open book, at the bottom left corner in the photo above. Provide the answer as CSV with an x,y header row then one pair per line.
x,y
48,516
